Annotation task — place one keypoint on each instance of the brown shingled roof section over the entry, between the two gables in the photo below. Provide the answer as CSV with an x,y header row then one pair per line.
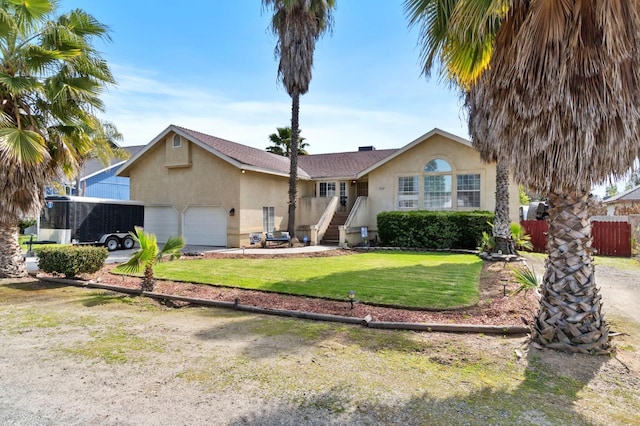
x,y
341,165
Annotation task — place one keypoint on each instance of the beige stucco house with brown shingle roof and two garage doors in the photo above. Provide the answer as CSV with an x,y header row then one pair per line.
x,y
215,192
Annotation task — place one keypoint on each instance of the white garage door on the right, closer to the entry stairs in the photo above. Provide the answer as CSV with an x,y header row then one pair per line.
x,y
205,226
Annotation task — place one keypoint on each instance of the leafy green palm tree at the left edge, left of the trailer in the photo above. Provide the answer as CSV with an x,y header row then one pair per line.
x,y
50,82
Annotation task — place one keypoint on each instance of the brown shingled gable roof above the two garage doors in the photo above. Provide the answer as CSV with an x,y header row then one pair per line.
x,y
238,155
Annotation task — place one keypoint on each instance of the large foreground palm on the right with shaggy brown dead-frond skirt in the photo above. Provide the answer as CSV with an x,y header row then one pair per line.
x,y
558,102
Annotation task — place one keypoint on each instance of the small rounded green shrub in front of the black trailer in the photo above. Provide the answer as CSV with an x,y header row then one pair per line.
x,y
71,260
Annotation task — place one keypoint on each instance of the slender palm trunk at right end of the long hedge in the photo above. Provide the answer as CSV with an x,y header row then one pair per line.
x,y
502,226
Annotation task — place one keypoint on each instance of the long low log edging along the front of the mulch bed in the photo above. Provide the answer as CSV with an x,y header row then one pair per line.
x,y
365,322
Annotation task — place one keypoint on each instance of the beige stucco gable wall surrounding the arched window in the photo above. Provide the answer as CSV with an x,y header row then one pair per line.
x,y
383,181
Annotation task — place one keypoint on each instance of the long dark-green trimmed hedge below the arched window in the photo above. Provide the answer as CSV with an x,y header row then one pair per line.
x,y
433,230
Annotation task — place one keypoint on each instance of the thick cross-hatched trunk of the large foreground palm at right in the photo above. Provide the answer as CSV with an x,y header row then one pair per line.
x,y
569,316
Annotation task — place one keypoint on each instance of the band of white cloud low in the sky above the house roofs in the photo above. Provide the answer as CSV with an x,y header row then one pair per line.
x,y
141,106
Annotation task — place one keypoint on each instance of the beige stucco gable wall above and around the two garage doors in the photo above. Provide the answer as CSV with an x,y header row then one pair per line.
x,y
207,181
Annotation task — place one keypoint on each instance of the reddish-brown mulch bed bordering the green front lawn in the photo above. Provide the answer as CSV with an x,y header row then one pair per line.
x,y
493,309
